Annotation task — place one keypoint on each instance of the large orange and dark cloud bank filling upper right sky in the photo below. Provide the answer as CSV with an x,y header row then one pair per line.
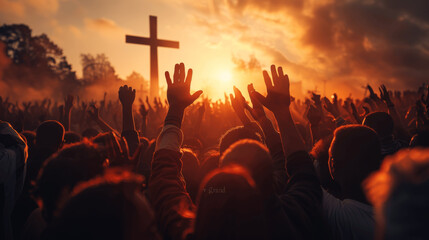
x,y
337,41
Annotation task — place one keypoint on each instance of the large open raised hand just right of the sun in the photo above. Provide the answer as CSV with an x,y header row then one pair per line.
x,y
278,95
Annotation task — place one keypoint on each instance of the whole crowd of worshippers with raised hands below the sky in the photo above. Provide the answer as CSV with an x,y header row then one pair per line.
x,y
272,168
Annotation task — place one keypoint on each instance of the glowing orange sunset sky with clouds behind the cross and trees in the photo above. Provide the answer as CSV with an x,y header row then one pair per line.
x,y
343,43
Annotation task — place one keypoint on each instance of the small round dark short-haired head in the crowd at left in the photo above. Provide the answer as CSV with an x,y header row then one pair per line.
x,y
50,135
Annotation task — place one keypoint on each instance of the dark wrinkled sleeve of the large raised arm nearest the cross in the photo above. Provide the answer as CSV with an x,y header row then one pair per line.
x,y
174,209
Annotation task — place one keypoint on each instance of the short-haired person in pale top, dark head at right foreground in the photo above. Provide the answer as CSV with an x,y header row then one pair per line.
x,y
354,154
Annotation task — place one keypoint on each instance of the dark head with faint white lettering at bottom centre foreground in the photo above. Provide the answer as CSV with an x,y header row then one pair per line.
x,y
230,206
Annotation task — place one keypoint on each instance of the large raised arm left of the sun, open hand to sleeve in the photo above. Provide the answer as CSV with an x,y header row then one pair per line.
x,y
167,190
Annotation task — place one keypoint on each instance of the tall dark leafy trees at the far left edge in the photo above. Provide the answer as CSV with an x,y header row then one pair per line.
x,y
36,61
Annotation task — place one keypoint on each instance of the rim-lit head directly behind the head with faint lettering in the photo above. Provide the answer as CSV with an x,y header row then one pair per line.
x,y
254,156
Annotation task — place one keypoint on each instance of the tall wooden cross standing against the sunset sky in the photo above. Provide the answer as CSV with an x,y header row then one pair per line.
x,y
154,43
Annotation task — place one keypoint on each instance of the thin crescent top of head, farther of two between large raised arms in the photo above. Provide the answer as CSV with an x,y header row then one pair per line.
x,y
235,134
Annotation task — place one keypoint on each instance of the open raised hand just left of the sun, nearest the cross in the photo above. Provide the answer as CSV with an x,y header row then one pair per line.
x,y
178,91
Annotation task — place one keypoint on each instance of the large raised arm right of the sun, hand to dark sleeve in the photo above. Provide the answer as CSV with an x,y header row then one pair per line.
x,y
303,195
